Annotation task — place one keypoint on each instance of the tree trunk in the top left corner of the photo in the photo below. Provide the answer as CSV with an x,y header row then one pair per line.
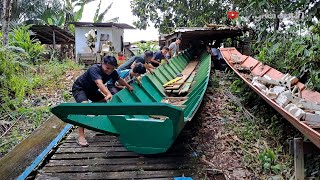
x,y
6,13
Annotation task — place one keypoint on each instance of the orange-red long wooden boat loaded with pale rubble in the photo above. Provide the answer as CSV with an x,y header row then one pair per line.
x,y
247,67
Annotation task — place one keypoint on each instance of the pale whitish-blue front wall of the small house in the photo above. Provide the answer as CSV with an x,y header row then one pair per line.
x,y
80,39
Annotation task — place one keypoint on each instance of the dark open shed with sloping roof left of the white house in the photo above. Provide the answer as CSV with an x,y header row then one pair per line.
x,y
49,34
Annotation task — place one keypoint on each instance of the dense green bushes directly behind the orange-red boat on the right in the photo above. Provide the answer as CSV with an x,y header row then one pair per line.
x,y
289,53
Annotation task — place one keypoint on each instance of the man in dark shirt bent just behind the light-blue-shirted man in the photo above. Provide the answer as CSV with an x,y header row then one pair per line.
x,y
135,59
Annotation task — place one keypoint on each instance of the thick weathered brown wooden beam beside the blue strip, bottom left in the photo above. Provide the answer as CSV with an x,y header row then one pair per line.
x,y
15,162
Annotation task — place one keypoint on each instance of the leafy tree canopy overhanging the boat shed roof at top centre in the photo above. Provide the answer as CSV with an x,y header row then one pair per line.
x,y
179,13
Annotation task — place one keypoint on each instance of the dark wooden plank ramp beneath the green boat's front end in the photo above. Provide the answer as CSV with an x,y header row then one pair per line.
x,y
106,158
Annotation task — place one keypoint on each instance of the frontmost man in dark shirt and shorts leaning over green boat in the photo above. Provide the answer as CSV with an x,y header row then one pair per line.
x,y
87,87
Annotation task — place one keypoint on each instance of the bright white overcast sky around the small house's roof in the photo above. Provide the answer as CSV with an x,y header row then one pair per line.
x,y
121,9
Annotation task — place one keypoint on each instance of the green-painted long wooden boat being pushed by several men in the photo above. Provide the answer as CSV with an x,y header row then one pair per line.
x,y
130,115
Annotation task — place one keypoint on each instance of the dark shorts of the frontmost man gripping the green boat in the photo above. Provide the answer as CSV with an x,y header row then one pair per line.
x,y
81,95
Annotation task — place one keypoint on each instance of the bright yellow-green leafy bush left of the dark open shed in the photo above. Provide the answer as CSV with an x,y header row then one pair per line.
x,y
20,37
